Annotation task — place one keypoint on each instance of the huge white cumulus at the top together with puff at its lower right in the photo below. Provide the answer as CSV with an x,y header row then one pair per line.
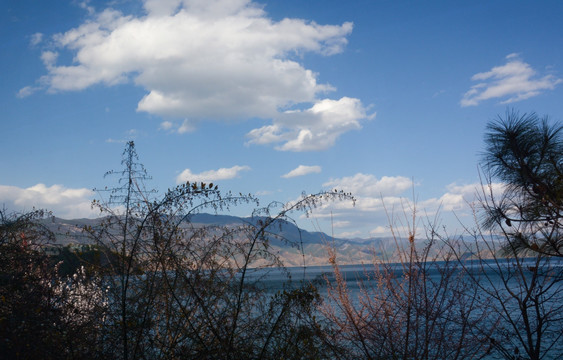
x,y
212,59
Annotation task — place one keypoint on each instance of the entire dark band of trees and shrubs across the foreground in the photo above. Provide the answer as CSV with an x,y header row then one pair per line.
x,y
152,287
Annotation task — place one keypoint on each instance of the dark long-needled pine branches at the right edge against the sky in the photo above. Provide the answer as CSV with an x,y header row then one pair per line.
x,y
525,152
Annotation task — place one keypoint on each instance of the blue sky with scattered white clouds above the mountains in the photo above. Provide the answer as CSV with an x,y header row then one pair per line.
x,y
388,100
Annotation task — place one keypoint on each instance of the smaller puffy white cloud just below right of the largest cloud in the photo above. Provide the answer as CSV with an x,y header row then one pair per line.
x,y
316,128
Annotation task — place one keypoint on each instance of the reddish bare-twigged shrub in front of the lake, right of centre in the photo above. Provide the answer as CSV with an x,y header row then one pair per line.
x,y
420,308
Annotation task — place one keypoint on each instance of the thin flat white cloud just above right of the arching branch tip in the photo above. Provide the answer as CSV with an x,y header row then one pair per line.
x,y
370,186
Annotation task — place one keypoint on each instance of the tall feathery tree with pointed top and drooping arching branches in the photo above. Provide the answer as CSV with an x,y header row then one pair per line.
x,y
181,290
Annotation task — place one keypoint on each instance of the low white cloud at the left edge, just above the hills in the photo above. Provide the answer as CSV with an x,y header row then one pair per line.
x,y
62,201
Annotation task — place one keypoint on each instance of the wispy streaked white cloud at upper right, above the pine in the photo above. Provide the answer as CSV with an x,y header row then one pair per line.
x,y
514,81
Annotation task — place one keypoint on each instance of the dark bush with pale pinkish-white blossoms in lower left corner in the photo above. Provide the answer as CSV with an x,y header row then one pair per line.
x,y
41,311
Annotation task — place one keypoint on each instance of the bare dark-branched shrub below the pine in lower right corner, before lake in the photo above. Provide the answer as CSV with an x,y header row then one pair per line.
x,y
525,295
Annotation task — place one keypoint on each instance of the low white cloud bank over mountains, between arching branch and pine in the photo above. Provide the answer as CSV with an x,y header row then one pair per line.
x,y
389,199
